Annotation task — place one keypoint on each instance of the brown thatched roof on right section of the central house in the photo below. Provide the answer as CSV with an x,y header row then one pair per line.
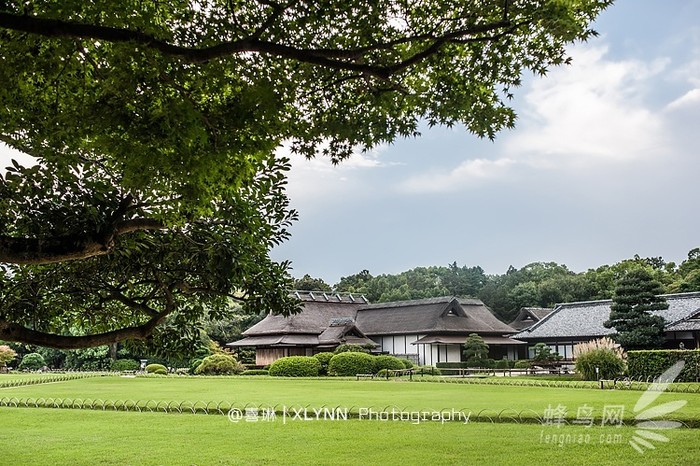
x,y
432,315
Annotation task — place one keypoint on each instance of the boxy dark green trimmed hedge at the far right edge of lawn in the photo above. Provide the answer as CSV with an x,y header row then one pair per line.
x,y
643,364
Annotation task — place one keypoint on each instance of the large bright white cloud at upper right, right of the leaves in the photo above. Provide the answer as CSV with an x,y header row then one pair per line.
x,y
588,113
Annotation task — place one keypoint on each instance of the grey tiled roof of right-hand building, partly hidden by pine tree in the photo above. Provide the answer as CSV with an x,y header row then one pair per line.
x,y
585,319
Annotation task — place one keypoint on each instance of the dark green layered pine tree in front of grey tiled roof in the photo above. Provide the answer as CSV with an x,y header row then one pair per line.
x,y
636,296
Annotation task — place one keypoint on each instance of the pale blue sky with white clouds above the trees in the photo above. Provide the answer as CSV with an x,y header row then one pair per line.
x,y
603,164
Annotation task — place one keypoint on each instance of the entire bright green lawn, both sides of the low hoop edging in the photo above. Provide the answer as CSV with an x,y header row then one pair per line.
x,y
77,437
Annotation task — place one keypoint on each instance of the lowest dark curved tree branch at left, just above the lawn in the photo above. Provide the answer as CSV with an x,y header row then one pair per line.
x,y
14,332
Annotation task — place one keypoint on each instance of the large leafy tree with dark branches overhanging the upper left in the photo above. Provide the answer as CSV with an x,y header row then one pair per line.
x,y
154,125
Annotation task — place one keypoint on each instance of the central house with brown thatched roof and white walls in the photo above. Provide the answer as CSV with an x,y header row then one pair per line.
x,y
427,331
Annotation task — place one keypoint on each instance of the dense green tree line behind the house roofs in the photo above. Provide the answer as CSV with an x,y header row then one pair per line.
x,y
539,284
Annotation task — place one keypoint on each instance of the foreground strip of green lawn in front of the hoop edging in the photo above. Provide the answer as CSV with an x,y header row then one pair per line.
x,y
46,436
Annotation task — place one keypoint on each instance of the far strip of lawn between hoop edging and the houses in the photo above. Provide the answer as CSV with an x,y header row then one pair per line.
x,y
487,399
